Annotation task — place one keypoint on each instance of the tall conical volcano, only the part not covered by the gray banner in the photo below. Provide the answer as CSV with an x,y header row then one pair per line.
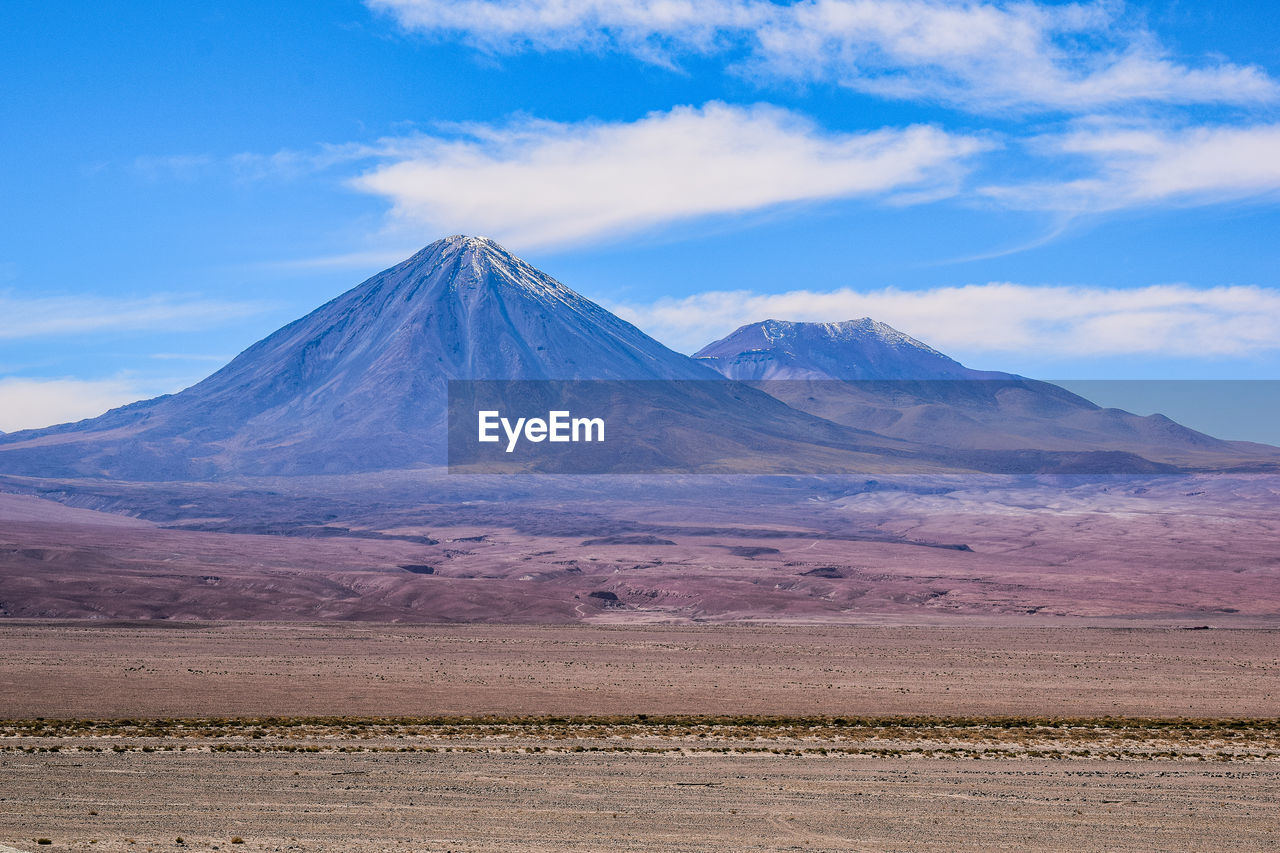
x,y
362,382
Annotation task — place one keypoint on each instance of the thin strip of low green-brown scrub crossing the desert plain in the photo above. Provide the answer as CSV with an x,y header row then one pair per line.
x,y
1060,738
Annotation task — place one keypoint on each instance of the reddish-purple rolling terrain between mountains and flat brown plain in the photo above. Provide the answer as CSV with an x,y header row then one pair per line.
x,y
1178,550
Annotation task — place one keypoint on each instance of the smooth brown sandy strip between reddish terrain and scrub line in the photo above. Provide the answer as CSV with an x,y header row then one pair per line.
x,y
85,670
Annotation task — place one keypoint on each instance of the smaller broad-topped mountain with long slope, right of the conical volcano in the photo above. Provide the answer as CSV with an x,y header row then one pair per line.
x,y
868,376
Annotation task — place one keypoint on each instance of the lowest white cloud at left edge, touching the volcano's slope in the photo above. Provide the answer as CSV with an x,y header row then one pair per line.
x,y
31,404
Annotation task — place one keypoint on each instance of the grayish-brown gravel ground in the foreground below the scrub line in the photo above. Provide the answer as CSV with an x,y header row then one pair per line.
x,y
497,802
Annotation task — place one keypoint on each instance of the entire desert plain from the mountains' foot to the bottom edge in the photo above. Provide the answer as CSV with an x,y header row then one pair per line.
x,y
1086,667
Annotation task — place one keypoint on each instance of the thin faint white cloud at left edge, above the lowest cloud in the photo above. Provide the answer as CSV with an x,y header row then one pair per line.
x,y
40,317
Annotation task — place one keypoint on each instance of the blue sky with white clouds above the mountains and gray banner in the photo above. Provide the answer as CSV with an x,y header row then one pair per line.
x,y
1066,191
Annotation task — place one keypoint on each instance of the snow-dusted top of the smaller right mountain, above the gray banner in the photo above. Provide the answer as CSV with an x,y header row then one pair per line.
x,y
862,349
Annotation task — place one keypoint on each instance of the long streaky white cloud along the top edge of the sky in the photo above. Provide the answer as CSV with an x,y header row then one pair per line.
x,y
980,56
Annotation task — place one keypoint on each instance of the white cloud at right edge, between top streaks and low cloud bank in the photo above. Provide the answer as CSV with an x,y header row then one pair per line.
x,y
1142,166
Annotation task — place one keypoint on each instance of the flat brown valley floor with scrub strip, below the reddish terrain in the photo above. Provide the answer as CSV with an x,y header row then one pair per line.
x,y
296,737
